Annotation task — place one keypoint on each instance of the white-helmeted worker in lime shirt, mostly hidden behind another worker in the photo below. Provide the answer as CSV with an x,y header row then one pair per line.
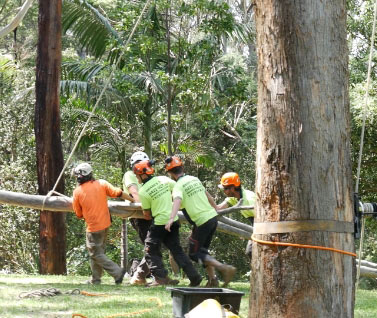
x,y
141,226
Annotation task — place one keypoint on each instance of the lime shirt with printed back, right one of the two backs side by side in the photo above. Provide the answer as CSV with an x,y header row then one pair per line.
x,y
194,199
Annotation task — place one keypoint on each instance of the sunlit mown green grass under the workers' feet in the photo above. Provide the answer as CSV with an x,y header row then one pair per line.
x,y
111,300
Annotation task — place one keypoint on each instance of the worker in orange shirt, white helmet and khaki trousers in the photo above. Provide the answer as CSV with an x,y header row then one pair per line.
x,y
90,203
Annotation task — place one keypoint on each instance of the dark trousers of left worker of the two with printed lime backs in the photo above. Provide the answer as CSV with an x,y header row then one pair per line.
x,y
157,235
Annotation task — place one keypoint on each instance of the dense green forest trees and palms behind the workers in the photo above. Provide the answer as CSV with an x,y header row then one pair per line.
x,y
213,101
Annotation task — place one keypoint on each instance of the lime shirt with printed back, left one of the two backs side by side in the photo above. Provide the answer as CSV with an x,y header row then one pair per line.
x,y
155,195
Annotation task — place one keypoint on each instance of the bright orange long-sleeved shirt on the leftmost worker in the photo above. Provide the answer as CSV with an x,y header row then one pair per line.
x,y
90,203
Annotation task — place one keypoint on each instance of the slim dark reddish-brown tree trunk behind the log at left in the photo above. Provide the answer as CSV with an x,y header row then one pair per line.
x,y
47,133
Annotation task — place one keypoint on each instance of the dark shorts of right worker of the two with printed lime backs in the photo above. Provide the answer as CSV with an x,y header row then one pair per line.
x,y
200,240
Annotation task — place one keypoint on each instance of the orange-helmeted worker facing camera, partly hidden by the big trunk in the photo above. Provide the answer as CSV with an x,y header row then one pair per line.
x,y
231,185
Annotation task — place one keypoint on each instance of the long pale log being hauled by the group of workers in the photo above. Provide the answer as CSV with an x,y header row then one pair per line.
x,y
118,208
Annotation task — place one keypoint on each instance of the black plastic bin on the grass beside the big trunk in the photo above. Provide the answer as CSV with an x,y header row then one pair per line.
x,y
186,298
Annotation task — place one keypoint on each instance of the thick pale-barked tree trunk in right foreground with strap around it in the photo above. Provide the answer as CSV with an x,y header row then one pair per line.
x,y
303,159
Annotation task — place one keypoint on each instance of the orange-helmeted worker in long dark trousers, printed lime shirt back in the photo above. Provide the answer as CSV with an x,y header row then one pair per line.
x,y
156,201
